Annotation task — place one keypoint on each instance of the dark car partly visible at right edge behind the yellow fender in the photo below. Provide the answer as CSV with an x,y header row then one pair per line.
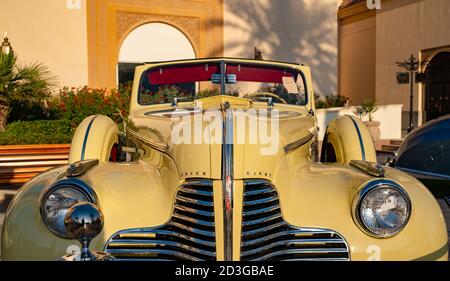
x,y
425,154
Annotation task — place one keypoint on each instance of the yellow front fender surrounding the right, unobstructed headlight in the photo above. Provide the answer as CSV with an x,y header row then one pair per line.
x,y
320,196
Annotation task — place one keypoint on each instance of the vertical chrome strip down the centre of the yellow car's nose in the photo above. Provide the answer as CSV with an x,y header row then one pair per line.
x,y
227,180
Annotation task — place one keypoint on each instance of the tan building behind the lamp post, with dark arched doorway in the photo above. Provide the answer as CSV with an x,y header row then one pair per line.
x,y
371,41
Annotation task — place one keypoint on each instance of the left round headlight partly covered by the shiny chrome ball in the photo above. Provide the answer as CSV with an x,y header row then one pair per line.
x,y
57,202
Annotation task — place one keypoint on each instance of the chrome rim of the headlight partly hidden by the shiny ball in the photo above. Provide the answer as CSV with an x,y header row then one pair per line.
x,y
76,185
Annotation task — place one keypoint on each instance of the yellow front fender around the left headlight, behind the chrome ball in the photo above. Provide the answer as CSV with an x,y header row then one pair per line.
x,y
130,195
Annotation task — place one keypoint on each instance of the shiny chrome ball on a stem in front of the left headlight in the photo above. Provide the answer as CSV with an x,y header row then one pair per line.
x,y
83,222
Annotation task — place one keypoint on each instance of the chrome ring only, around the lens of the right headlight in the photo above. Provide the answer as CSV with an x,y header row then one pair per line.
x,y
370,187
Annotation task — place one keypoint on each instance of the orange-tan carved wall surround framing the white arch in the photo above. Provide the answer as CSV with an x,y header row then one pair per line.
x,y
110,21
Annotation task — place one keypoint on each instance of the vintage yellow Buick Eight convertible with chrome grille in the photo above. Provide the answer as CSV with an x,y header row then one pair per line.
x,y
218,161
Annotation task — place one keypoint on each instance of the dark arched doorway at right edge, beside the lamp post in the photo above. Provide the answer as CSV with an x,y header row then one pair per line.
x,y
437,89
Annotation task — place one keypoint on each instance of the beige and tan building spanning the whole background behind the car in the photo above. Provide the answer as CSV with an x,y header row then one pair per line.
x,y
351,49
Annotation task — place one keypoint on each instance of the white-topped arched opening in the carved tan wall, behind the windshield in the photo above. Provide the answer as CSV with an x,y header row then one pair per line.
x,y
151,42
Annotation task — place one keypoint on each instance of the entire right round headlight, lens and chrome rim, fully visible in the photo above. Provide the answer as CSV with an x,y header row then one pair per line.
x,y
382,208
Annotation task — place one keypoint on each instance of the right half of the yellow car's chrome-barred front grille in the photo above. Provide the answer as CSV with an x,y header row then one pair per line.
x,y
266,236
